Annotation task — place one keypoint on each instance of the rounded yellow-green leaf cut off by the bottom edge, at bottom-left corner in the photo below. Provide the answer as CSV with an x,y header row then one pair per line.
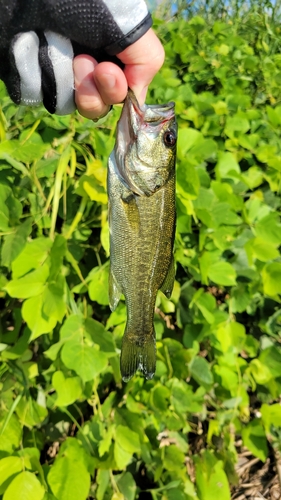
x,y
24,486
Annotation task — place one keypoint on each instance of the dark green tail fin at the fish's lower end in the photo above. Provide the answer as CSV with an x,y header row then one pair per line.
x,y
138,356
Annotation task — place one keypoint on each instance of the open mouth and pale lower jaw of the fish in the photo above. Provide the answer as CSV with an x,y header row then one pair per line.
x,y
133,118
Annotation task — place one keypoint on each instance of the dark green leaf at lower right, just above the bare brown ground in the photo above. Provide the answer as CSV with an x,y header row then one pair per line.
x,y
254,438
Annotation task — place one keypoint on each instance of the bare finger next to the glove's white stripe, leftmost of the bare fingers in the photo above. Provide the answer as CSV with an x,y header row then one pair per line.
x,y
87,97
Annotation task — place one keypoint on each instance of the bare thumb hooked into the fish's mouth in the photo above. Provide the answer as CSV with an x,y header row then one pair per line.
x,y
142,60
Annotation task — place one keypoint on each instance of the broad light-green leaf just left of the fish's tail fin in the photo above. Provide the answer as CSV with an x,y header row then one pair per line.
x,y
86,361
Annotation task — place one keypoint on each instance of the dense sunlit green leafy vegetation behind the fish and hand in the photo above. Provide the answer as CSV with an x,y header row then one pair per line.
x,y
211,417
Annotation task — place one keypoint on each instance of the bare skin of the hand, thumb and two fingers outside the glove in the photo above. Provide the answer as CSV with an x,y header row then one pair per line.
x,y
99,85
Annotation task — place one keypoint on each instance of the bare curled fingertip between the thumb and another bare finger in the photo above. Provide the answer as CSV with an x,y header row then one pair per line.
x,y
110,82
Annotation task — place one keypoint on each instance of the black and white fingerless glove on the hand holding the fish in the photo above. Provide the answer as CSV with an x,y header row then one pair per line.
x,y
39,38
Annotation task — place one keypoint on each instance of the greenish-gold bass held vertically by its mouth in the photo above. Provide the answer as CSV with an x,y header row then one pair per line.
x,y
142,217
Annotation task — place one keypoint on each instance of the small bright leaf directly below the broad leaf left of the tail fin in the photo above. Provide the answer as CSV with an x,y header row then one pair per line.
x,y
68,389
